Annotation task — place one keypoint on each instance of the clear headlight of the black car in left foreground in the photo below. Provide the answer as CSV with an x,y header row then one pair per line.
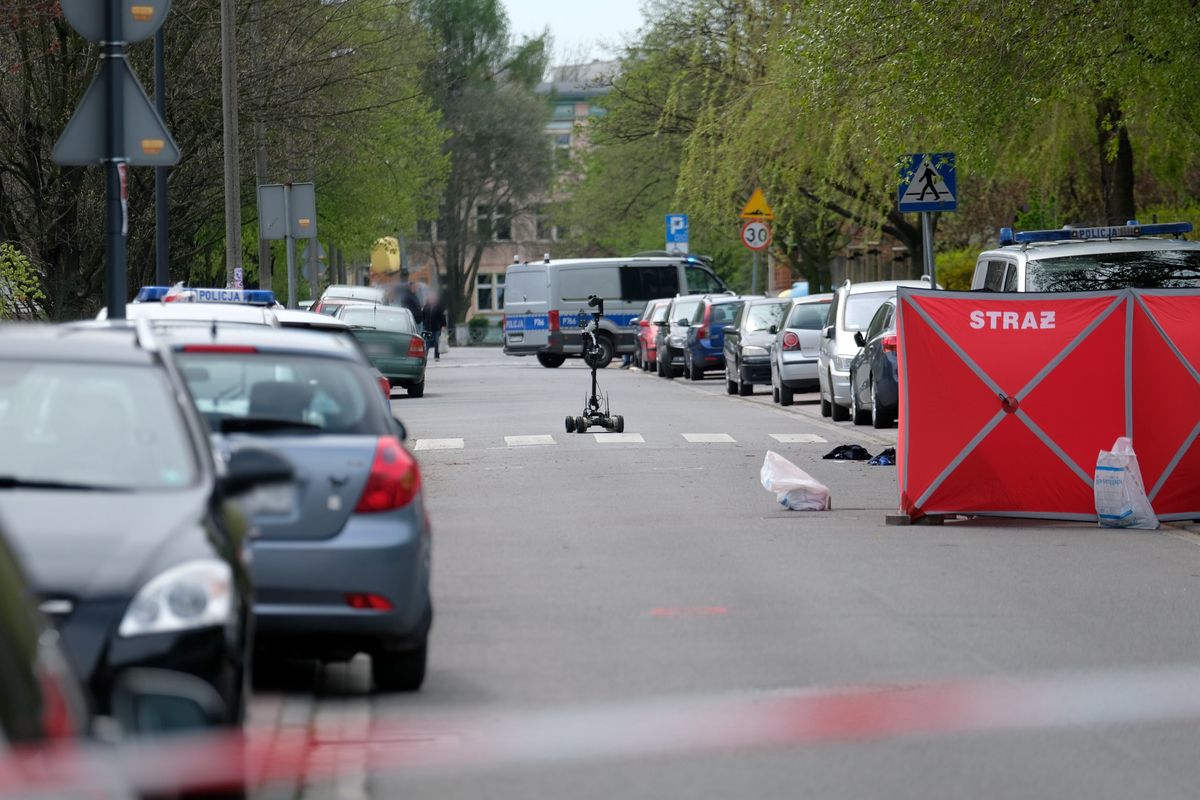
x,y
196,594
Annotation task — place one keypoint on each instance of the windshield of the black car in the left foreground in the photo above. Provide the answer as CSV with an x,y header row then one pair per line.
x,y
92,426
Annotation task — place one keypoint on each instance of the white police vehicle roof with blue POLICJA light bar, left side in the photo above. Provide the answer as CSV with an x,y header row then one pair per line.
x,y
179,305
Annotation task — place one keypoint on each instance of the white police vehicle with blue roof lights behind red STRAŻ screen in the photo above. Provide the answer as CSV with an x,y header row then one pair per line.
x,y
1091,260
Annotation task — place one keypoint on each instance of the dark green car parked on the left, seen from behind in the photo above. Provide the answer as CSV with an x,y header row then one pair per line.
x,y
391,339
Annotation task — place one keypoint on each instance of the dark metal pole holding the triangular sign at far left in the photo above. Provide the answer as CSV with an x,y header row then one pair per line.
x,y
116,293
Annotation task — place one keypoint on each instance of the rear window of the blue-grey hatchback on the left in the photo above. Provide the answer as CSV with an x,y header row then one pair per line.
x,y
284,393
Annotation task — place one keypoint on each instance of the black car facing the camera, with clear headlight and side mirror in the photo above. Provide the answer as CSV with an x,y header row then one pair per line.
x,y
113,497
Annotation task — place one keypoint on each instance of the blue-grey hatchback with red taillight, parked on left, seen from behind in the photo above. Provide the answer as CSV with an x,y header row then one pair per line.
x,y
343,566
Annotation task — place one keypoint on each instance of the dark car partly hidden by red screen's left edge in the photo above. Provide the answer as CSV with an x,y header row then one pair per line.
x,y
874,388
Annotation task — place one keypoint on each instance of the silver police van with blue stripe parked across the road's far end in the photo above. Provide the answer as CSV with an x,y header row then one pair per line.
x,y
545,300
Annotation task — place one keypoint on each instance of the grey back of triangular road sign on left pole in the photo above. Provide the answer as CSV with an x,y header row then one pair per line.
x,y
147,142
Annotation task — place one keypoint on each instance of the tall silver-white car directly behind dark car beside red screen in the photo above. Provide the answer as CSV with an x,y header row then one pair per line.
x,y
851,310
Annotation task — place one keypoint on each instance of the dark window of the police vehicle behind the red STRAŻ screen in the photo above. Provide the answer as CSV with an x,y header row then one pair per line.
x,y
1157,269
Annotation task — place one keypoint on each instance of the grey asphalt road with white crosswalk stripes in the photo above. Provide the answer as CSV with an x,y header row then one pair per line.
x,y
584,572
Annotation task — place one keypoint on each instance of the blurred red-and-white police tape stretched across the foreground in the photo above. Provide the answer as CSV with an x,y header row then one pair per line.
x,y
692,725
